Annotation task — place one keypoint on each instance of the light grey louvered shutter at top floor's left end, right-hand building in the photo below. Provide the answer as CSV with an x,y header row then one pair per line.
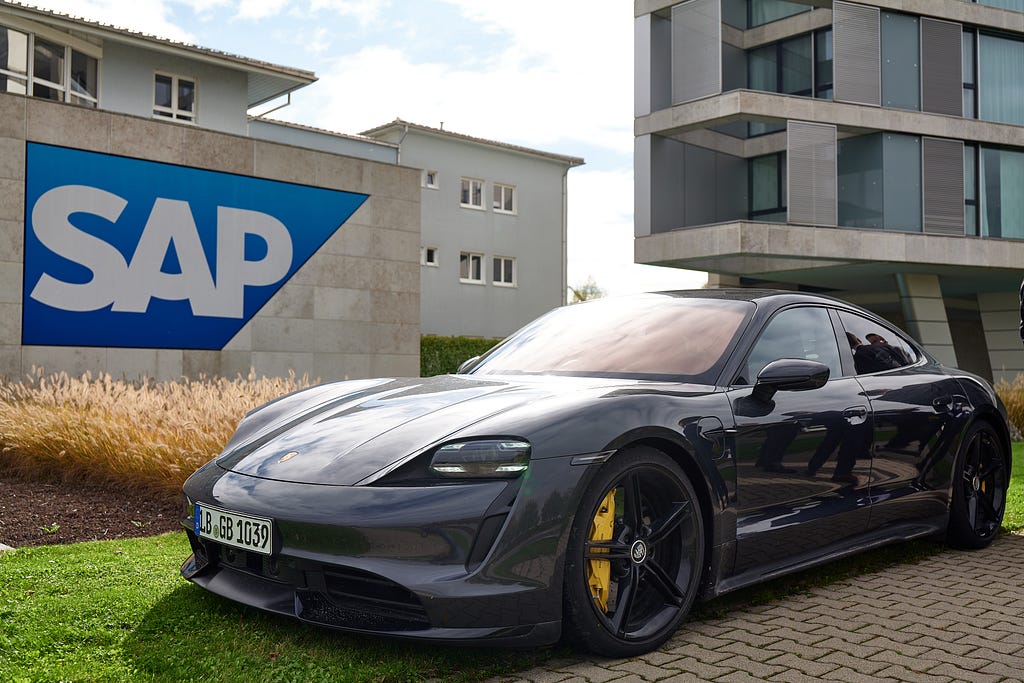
x,y
697,51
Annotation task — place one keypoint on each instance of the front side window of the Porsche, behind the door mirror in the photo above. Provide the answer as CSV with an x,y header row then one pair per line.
x,y
796,333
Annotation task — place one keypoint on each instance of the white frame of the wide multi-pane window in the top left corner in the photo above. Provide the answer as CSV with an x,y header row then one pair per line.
x,y
71,46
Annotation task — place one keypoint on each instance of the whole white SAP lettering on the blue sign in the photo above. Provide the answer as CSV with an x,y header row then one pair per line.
x,y
130,288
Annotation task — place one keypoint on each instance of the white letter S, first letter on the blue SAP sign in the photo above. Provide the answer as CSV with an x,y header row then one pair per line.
x,y
51,222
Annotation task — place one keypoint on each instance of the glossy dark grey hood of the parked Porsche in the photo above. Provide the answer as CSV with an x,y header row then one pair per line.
x,y
343,434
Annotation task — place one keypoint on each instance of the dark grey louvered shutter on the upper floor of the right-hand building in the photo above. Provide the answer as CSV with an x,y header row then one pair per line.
x,y
942,67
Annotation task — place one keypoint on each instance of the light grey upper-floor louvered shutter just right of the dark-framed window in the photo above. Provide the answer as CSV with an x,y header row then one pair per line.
x,y
858,54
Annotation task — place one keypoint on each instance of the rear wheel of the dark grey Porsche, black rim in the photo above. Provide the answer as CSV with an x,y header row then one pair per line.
x,y
979,489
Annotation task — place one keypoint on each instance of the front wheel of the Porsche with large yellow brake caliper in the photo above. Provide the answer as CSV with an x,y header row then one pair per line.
x,y
633,602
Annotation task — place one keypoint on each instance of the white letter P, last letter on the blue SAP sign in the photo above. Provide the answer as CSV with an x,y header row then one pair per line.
x,y
234,272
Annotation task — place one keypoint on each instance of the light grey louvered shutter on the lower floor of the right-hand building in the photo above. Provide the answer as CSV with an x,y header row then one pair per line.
x,y
812,174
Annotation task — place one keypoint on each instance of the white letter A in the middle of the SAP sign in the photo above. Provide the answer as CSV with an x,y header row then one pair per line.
x,y
170,224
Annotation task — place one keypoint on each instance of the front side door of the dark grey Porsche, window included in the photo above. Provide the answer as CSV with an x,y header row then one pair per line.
x,y
803,458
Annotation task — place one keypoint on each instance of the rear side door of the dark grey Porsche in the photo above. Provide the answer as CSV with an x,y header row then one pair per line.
x,y
919,413
